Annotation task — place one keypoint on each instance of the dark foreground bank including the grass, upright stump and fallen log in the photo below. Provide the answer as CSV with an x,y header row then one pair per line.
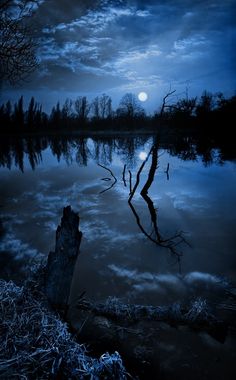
x,y
39,339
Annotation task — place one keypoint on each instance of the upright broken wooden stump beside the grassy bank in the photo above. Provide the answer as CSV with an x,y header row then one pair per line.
x,y
61,262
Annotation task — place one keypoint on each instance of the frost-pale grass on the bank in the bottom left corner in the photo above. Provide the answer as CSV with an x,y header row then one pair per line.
x,y
36,344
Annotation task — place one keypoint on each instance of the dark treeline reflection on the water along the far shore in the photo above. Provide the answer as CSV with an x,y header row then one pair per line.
x,y
15,151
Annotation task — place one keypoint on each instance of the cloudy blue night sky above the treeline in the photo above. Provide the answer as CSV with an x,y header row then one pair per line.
x,y
93,47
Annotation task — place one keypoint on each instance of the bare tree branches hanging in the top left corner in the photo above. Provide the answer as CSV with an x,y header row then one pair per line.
x,y
17,44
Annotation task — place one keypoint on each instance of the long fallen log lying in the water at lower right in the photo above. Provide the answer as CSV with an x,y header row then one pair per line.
x,y
196,315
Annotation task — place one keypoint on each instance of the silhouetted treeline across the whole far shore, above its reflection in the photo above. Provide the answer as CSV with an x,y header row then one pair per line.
x,y
192,114
